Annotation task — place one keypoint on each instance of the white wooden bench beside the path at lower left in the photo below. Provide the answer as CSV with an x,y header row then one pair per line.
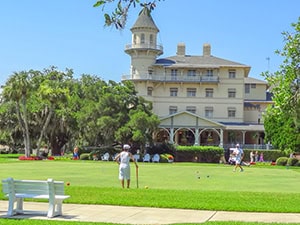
x,y
17,190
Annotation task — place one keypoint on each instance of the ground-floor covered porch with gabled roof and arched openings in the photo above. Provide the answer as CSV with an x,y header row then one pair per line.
x,y
186,128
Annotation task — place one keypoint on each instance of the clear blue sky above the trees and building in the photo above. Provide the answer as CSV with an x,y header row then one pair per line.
x,y
37,34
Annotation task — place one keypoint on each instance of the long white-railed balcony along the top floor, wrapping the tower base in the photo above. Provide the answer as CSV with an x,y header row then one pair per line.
x,y
173,78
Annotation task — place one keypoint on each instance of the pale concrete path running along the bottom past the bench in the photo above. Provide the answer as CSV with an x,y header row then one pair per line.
x,y
146,215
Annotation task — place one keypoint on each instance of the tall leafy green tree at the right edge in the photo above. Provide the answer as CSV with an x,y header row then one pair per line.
x,y
282,120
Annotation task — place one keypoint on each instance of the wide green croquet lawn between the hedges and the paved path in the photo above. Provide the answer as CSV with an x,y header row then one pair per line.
x,y
177,185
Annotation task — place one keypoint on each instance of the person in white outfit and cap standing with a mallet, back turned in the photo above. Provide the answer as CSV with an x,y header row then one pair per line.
x,y
123,159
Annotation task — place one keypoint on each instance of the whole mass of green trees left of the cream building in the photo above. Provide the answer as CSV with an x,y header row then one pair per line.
x,y
53,108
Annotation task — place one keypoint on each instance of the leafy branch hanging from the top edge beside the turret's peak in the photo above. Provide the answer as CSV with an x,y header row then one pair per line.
x,y
118,17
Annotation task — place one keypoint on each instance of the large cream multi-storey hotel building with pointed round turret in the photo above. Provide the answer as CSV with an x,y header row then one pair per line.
x,y
200,99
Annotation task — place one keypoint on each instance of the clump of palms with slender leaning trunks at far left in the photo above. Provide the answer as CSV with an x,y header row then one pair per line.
x,y
34,96
